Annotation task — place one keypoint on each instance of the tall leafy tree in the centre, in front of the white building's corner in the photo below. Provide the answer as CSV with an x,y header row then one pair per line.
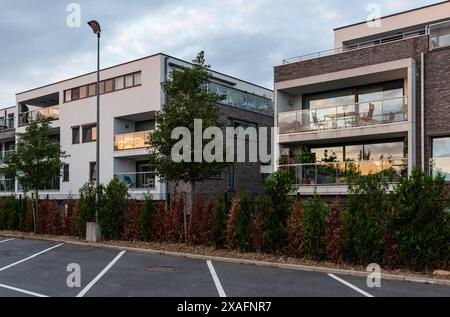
x,y
188,100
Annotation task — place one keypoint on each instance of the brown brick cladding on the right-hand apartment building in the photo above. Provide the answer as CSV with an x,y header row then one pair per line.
x,y
437,79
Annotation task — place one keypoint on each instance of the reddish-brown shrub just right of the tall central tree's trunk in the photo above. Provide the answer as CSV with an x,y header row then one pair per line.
x,y
200,222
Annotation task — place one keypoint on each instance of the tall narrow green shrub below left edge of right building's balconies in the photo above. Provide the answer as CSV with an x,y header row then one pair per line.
x,y
277,190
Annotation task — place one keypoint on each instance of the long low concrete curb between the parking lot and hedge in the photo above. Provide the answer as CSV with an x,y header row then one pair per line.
x,y
295,267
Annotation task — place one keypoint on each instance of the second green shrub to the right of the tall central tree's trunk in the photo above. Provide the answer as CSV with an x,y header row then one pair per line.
x,y
240,223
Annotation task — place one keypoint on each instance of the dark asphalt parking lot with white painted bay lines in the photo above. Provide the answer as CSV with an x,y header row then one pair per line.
x,y
39,269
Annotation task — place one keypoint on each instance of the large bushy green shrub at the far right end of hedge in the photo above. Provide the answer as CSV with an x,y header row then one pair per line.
x,y
421,221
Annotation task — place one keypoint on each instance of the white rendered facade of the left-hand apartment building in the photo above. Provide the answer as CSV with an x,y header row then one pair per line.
x,y
123,112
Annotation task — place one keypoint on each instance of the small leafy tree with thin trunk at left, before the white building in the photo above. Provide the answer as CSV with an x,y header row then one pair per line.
x,y
37,160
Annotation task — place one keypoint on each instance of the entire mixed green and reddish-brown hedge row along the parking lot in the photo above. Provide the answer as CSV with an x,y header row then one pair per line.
x,y
405,226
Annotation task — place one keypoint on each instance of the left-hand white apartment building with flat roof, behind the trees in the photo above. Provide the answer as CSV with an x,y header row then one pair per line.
x,y
131,95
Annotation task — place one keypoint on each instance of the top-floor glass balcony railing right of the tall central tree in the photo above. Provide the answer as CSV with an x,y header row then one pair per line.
x,y
241,99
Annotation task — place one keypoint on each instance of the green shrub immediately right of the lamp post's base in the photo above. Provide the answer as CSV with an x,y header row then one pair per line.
x,y
111,214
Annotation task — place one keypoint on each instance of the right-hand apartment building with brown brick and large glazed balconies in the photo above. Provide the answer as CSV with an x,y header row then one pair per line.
x,y
379,101
